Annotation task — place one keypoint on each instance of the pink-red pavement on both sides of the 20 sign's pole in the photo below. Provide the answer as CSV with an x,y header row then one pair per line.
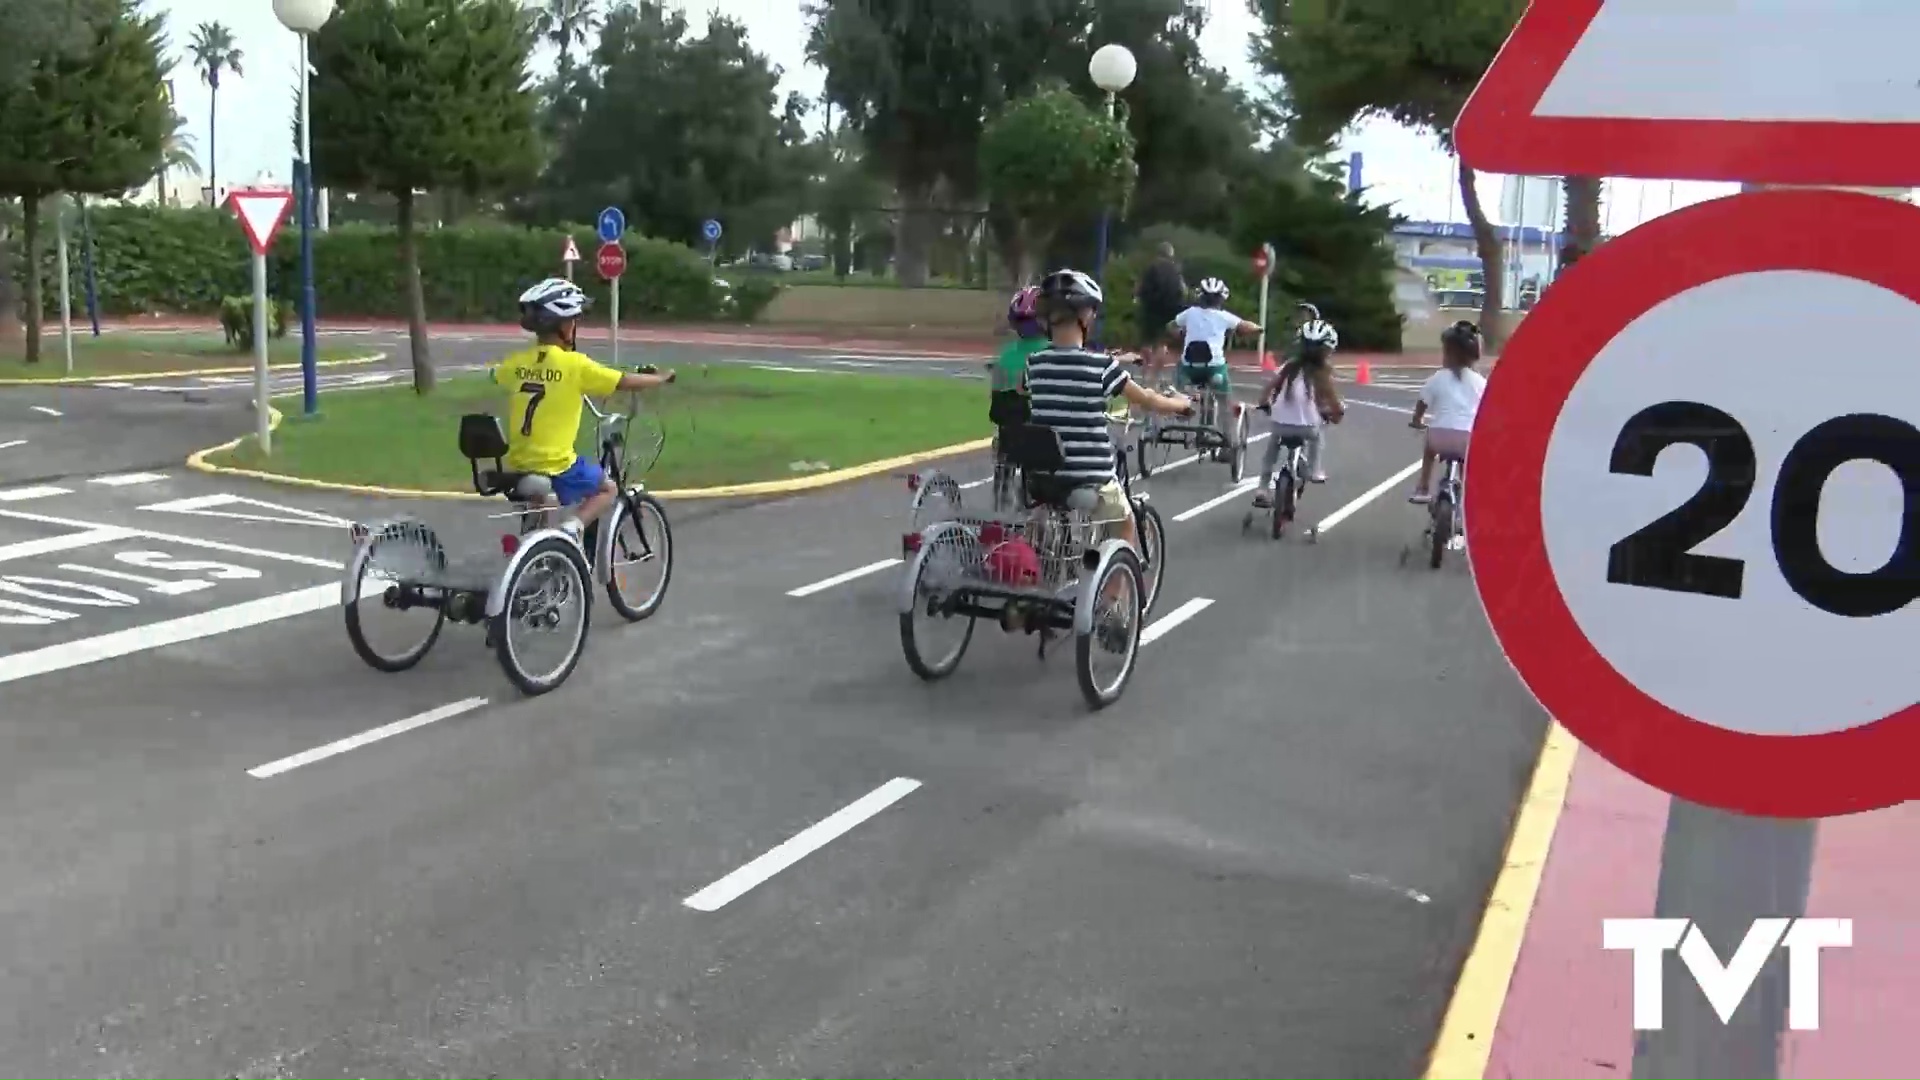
x,y
1570,1006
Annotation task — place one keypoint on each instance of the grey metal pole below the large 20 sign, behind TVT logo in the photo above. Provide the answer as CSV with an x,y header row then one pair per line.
x,y
1723,871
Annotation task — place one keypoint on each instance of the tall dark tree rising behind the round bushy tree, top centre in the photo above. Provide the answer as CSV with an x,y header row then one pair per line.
x,y
919,80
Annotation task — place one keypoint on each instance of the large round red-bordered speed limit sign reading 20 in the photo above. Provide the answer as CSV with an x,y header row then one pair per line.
x,y
1694,503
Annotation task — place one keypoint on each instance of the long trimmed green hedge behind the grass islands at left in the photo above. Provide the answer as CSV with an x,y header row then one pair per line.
x,y
185,262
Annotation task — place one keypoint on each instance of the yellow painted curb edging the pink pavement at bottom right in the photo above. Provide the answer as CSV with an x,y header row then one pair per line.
x,y
1466,1039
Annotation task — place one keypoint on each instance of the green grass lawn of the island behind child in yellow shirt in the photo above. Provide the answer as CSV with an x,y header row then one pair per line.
x,y
723,426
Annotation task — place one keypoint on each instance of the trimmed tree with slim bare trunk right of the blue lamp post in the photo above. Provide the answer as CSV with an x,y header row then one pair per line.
x,y
423,95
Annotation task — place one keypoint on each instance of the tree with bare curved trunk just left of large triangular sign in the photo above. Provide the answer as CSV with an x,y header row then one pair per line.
x,y
1414,62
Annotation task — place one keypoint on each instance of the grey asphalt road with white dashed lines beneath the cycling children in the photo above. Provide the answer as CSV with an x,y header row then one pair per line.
x,y
1268,860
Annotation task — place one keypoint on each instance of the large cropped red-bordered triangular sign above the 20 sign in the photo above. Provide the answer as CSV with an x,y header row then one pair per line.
x,y
1779,93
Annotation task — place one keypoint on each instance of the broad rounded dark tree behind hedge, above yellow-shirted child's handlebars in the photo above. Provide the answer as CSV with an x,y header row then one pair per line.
x,y
679,130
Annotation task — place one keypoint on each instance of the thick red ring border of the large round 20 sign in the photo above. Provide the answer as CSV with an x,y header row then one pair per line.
x,y
1825,775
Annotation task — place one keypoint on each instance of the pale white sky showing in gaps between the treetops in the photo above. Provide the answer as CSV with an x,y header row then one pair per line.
x,y
1403,168
